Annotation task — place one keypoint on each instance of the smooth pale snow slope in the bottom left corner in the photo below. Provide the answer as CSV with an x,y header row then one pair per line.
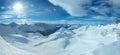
x,y
7,49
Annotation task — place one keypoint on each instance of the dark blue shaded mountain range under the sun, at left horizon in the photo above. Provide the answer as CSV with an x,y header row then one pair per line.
x,y
44,29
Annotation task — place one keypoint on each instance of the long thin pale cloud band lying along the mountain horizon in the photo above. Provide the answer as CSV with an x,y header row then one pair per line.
x,y
32,21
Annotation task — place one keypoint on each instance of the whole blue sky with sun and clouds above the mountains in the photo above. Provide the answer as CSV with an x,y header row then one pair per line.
x,y
60,11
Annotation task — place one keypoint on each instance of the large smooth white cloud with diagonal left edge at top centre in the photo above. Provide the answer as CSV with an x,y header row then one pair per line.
x,y
73,7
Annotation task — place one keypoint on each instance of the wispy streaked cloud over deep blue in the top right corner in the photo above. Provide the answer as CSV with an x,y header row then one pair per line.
x,y
106,7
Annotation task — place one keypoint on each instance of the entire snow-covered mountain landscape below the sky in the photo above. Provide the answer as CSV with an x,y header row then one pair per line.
x,y
58,39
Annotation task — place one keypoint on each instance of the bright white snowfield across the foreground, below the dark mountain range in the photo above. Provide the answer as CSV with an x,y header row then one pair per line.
x,y
85,40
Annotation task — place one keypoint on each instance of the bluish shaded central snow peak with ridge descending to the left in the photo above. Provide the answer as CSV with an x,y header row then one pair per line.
x,y
61,33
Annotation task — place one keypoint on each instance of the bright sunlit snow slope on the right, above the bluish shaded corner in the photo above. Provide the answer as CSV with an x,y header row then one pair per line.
x,y
88,38
